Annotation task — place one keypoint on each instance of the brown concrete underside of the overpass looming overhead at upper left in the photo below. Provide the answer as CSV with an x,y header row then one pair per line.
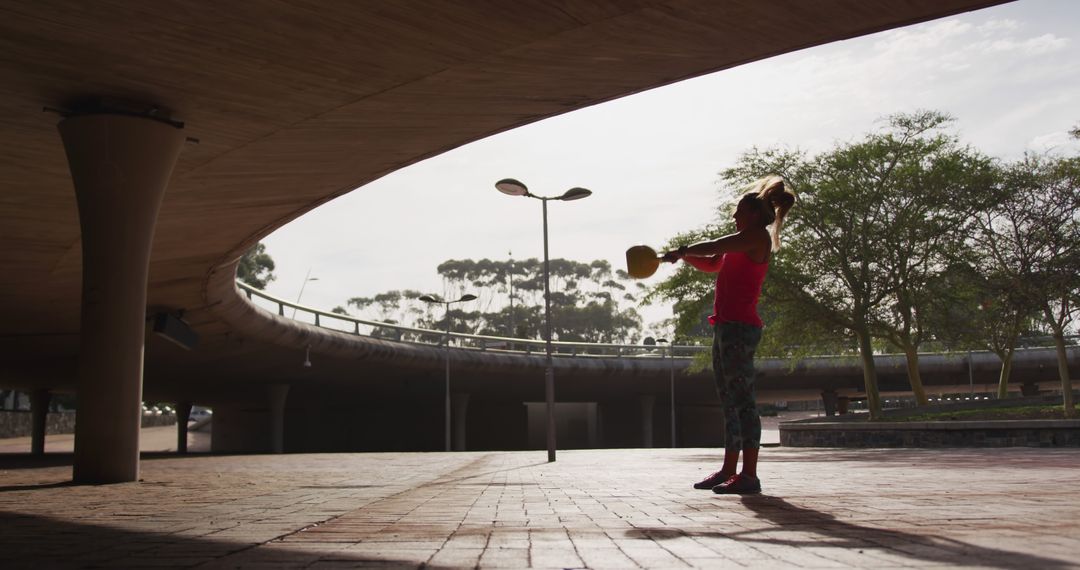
x,y
296,103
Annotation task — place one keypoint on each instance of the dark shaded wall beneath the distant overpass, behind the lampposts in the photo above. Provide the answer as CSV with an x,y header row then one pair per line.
x,y
315,425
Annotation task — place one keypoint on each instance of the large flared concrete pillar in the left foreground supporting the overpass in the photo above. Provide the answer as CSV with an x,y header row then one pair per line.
x,y
120,166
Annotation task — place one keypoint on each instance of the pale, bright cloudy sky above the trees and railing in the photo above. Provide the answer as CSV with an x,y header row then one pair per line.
x,y
1009,75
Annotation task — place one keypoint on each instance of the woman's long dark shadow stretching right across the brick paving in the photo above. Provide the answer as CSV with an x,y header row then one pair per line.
x,y
835,534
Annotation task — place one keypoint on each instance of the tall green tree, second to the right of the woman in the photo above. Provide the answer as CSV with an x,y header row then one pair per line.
x,y
933,187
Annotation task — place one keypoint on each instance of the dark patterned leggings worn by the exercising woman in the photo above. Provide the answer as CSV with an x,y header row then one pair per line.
x,y
734,345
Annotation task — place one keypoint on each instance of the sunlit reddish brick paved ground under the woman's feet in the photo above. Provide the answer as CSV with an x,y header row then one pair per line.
x,y
603,509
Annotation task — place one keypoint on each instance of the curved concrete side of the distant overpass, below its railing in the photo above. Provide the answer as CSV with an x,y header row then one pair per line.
x,y
397,368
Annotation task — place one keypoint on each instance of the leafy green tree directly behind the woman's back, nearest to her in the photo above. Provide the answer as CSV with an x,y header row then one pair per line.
x,y
829,272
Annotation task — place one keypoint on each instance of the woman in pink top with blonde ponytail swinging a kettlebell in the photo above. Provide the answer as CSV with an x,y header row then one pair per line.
x,y
740,262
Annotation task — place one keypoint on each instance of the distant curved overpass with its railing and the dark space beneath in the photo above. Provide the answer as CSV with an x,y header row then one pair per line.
x,y
364,393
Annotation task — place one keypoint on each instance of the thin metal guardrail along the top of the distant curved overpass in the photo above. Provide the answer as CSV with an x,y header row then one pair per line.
x,y
380,330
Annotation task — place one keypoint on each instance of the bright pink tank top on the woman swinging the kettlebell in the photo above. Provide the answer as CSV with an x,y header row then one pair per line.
x,y
738,289
